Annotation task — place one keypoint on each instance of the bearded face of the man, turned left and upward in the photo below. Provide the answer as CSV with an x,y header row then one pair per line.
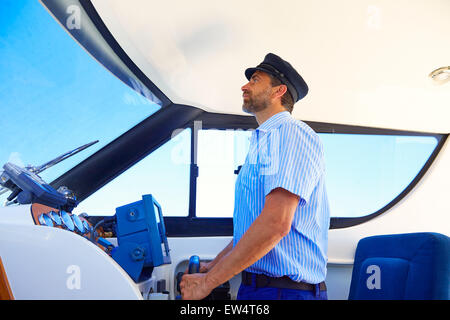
x,y
257,93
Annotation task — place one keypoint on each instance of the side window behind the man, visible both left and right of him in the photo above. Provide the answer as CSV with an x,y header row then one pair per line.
x,y
364,173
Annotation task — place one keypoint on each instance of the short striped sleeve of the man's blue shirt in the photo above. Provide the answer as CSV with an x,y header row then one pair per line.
x,y
295,161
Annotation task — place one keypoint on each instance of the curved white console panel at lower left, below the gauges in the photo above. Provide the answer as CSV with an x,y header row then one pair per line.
x,y
61,264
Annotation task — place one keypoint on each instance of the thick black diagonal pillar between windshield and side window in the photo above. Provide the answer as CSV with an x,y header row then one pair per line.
x,y
125,151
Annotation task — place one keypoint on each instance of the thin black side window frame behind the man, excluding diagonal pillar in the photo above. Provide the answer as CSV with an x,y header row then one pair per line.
x,y
193,226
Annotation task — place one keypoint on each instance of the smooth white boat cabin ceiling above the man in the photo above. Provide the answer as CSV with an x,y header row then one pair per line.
x,y
366,61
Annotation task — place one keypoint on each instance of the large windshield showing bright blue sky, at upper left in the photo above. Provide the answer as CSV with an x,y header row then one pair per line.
x,y
54,97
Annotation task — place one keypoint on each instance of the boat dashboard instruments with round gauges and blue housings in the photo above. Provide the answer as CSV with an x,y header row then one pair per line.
x,y
138,226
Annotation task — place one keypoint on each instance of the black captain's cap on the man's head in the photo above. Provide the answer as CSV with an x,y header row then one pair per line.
x,y
283,71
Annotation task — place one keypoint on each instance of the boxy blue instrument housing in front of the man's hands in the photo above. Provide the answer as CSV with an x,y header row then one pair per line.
x,y
141,237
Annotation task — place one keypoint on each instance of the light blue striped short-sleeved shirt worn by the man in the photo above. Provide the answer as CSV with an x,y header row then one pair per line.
x,y
286,153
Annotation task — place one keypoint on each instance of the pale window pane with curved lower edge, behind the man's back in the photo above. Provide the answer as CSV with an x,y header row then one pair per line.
x,y
366,172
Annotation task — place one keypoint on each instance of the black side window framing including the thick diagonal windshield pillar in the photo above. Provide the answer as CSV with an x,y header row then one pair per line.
x,y
92,174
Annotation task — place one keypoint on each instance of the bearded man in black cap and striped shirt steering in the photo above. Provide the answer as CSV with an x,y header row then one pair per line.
x,y
281,214
